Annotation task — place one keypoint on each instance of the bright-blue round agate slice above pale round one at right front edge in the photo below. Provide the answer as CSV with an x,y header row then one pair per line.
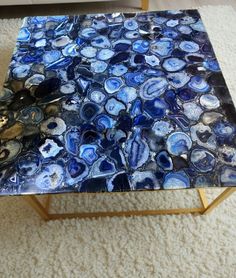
x,y
178,143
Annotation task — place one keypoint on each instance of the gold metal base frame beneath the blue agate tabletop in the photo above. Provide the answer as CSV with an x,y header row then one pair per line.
x,y
44,210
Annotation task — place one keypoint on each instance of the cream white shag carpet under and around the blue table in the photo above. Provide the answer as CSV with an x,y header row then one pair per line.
x,y
155,246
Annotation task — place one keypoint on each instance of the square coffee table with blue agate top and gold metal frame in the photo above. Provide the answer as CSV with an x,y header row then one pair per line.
x,y
116,103
